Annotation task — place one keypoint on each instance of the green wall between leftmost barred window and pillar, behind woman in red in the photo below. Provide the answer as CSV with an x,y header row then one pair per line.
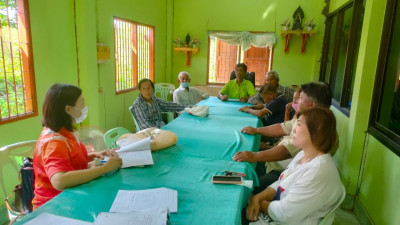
x,y
53,40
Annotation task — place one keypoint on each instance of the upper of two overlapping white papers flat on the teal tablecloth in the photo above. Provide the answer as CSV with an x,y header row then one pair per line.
x,y
127,201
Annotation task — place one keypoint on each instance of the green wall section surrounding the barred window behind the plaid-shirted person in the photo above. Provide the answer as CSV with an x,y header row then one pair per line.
x,y
114,108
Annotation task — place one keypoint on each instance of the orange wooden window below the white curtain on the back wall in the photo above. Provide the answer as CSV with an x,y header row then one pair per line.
x,y
223,58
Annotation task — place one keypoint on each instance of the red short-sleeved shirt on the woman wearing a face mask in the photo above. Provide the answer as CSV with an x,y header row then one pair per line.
x,y
55,152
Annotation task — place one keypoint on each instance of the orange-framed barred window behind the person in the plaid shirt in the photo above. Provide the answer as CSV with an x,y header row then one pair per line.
x,y
134,54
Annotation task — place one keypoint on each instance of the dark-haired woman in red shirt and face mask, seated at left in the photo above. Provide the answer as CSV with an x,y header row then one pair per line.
x,y
60,160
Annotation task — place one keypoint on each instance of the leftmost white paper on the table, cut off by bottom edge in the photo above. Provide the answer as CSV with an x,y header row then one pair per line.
x,y
50,219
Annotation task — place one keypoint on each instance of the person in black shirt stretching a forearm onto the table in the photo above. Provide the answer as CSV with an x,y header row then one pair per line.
x,y
274,109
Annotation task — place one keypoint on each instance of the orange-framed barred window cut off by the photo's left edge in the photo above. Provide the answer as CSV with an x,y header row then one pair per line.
x,y
17,85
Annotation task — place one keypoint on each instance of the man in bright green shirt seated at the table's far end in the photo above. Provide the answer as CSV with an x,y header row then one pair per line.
x,y
238,88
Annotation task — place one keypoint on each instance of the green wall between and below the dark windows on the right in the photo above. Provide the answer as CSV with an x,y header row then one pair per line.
x,y
377,187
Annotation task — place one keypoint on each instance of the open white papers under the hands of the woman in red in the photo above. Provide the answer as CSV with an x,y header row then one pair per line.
x,y
136,154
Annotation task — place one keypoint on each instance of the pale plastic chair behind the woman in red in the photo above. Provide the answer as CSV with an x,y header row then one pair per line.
x,y
7,158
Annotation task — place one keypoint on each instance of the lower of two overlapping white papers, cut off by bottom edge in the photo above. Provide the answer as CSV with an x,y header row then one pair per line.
x,y
143,217
